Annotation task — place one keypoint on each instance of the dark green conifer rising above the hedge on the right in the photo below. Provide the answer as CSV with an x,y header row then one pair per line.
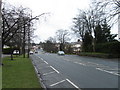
x,y
103,34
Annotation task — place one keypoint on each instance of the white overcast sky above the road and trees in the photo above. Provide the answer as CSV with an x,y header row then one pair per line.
x,y
62,12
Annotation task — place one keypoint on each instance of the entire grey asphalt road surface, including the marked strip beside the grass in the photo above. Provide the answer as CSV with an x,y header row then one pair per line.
x,y
75,72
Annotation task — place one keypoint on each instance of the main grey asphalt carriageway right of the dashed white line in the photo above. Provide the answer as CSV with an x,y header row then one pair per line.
x,y
82,72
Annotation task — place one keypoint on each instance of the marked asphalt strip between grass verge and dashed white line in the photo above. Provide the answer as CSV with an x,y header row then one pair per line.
x,y
49,77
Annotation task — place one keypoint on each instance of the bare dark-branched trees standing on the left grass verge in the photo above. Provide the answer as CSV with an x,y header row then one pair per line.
x,y
18,22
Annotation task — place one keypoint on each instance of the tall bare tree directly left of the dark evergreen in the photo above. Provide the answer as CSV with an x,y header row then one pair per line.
x,y
86,21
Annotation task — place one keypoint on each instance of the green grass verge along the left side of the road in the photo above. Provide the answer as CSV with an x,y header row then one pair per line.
x,y
19,73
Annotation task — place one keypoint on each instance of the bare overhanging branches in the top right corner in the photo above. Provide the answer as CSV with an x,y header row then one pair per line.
x,y
110,7
